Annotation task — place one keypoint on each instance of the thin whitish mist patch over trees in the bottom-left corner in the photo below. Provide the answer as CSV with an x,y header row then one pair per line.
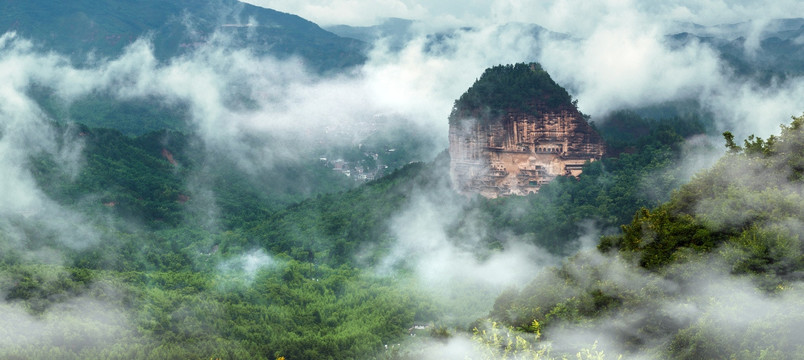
x,y
64,319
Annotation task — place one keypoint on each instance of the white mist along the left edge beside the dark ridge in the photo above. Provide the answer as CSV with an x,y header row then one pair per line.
x,y
25,133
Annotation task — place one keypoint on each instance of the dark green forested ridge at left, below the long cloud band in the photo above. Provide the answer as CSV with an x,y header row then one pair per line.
x,y
152,179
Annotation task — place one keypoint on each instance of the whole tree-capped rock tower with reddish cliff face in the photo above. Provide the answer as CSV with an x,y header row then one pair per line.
x,y
515,130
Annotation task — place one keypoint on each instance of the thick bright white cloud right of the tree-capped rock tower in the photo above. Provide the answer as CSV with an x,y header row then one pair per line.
x,y
626,60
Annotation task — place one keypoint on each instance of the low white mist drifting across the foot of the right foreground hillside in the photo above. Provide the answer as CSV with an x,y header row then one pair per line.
x,y
692,301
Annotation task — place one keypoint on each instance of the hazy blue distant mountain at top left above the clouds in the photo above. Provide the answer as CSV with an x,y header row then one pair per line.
x,y
103,28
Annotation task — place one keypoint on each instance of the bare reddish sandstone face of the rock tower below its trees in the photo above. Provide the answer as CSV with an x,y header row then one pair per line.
x,y
520,151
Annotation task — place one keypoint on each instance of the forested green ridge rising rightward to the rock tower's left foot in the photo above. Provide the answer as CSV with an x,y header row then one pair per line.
x,y
333,227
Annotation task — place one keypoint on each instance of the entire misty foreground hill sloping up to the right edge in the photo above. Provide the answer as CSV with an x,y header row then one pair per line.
x,y
714,273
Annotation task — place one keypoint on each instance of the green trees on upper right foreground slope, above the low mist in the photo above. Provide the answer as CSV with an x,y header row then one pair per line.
x,y
742,201
